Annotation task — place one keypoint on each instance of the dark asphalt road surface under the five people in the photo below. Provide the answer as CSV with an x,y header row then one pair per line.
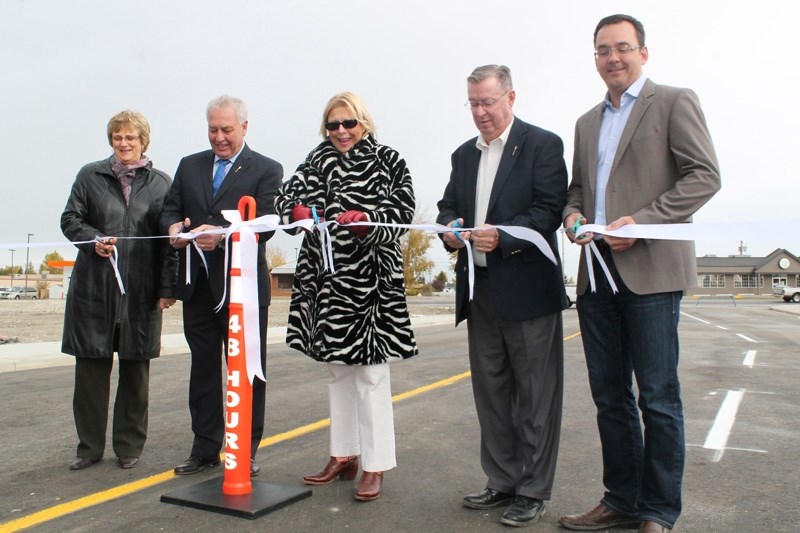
x,y
747,482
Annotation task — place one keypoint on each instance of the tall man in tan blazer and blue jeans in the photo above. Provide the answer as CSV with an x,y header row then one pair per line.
x,y
642,156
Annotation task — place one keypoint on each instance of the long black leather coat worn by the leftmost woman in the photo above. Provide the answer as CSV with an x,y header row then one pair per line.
x,y
95,308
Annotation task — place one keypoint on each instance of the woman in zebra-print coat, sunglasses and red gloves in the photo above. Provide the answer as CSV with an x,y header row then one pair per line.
x,y
355,319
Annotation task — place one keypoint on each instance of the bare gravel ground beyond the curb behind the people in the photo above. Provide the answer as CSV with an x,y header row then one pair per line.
x,y
43,320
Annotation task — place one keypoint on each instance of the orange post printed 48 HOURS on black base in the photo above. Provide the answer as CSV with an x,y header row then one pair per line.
x,y
239,393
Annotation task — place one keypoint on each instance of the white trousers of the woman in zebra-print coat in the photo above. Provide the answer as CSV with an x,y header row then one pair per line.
x,y
362,420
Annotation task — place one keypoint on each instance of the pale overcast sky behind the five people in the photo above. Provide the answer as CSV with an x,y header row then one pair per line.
x,y
67,67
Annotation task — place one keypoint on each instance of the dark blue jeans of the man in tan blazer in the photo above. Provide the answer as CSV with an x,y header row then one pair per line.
x,y
626,335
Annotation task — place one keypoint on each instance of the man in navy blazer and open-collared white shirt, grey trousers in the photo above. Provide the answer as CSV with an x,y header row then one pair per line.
x,y
512,174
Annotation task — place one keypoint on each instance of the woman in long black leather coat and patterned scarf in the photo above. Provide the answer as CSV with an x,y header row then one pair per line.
x,y
120,196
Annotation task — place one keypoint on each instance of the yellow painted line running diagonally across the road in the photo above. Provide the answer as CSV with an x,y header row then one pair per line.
x,y
57,511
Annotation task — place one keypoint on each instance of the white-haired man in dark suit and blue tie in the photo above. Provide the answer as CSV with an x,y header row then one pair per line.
x,y
205,184
